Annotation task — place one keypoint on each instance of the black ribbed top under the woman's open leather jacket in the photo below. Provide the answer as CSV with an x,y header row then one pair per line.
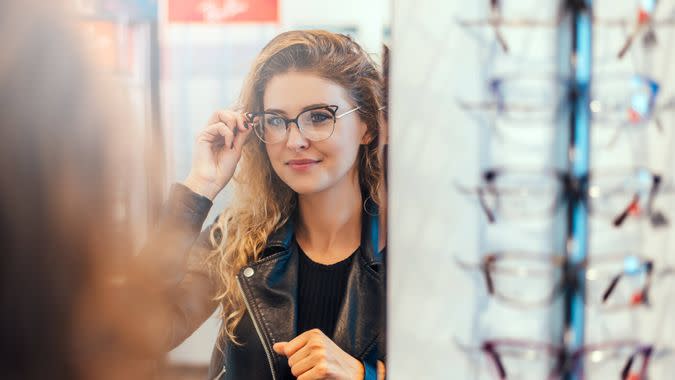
x,y
321,289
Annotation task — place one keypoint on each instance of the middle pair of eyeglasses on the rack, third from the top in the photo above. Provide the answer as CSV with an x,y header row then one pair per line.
x,y
614,195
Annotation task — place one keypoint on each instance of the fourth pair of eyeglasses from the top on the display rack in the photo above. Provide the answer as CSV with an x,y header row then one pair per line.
x,y
613,281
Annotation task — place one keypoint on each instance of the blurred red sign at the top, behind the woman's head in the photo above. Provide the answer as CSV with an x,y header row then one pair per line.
x,y
222,11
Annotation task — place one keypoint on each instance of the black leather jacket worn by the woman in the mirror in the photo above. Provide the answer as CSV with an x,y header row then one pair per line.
x,y
269,287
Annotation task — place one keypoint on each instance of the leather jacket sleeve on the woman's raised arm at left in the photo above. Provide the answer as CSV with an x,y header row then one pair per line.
x,y
171,266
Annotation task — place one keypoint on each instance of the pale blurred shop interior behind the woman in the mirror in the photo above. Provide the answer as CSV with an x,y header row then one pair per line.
x,y
181,60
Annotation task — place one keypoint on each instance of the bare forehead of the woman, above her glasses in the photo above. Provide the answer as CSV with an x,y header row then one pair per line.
x,y
291,92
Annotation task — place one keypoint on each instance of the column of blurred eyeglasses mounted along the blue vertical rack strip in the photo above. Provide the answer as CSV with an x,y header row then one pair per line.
x,y
571,100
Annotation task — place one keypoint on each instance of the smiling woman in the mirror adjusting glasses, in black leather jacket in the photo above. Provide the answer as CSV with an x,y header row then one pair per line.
x,y
296,261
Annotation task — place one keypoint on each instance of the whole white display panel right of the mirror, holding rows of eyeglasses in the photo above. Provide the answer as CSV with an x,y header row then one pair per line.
x,y
533,186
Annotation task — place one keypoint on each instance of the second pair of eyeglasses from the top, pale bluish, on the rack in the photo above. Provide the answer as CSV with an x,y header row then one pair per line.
x,y
619,103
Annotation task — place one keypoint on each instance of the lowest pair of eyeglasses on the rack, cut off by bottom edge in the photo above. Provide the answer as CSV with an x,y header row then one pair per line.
x,y
515,359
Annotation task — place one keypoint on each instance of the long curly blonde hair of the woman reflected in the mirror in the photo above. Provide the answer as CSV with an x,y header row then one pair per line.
x,y
262,201
